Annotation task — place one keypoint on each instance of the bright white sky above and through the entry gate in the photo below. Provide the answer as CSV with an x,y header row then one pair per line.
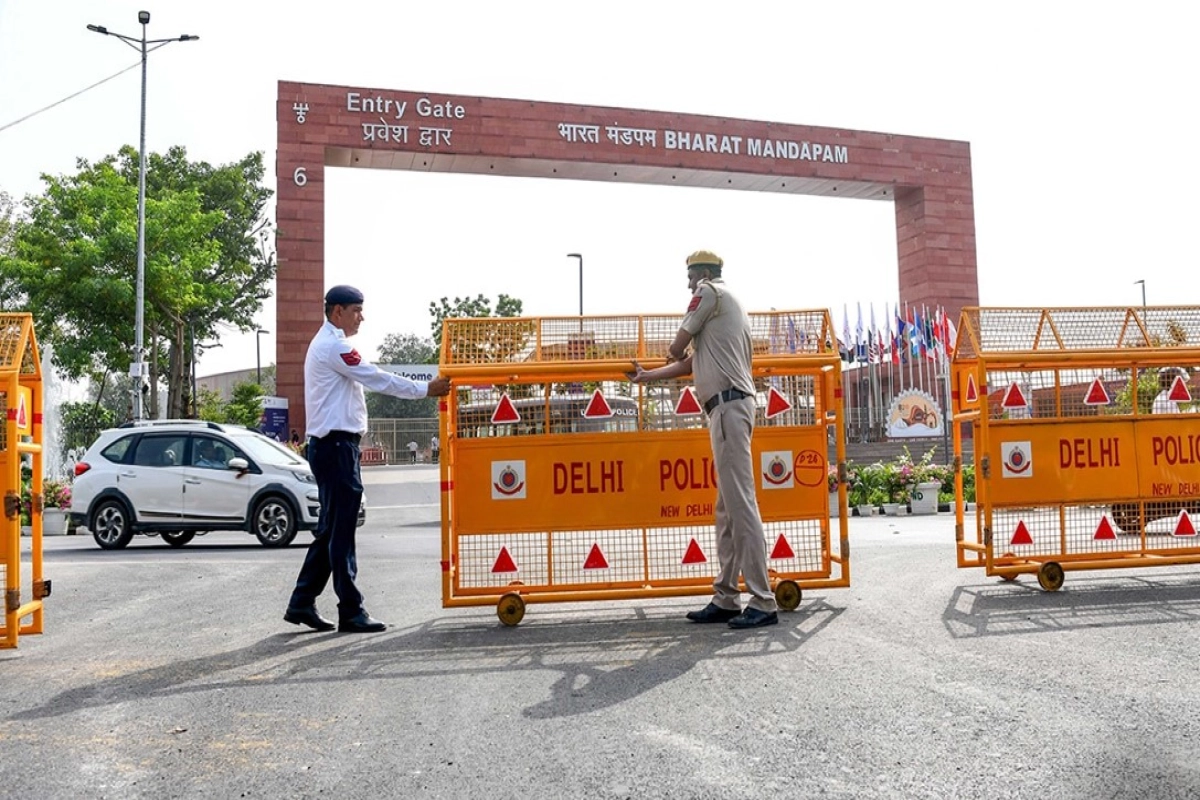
x,y
1081,118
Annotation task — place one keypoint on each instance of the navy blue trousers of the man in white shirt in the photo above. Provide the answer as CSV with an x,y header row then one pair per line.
x,y
335,465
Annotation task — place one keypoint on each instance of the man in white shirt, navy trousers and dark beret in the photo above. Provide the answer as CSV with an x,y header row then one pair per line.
x,y
335,405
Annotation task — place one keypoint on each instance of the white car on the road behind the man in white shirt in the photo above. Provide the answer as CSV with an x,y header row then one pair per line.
x,y
181,478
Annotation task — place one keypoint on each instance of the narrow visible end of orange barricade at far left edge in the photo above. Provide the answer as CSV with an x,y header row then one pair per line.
x,y
21,437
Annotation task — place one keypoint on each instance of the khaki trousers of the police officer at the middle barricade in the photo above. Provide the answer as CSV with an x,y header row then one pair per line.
x,y
741,543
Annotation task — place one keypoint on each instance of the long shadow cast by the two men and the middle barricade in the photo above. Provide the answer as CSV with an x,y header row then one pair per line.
x,y
603,661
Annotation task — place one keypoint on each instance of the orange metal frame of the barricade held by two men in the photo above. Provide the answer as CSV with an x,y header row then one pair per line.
x,y
547,363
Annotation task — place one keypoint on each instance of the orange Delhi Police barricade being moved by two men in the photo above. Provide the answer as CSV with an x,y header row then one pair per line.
x,y
563,482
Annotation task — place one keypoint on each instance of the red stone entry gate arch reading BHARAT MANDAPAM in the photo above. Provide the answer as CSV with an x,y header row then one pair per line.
x,y
321,127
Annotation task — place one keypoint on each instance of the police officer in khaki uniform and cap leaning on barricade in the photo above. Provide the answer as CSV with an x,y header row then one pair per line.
x,y
719,332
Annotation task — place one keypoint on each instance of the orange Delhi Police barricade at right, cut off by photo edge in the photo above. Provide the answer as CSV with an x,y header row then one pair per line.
x,y
1087,440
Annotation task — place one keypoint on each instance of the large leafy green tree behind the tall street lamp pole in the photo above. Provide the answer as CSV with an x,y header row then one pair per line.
x,y
208,263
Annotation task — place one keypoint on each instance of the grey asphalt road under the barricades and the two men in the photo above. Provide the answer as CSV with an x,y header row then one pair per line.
x,y
171,675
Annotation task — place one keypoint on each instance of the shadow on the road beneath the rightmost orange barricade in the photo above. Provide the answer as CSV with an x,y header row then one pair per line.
x,y
1023,607
